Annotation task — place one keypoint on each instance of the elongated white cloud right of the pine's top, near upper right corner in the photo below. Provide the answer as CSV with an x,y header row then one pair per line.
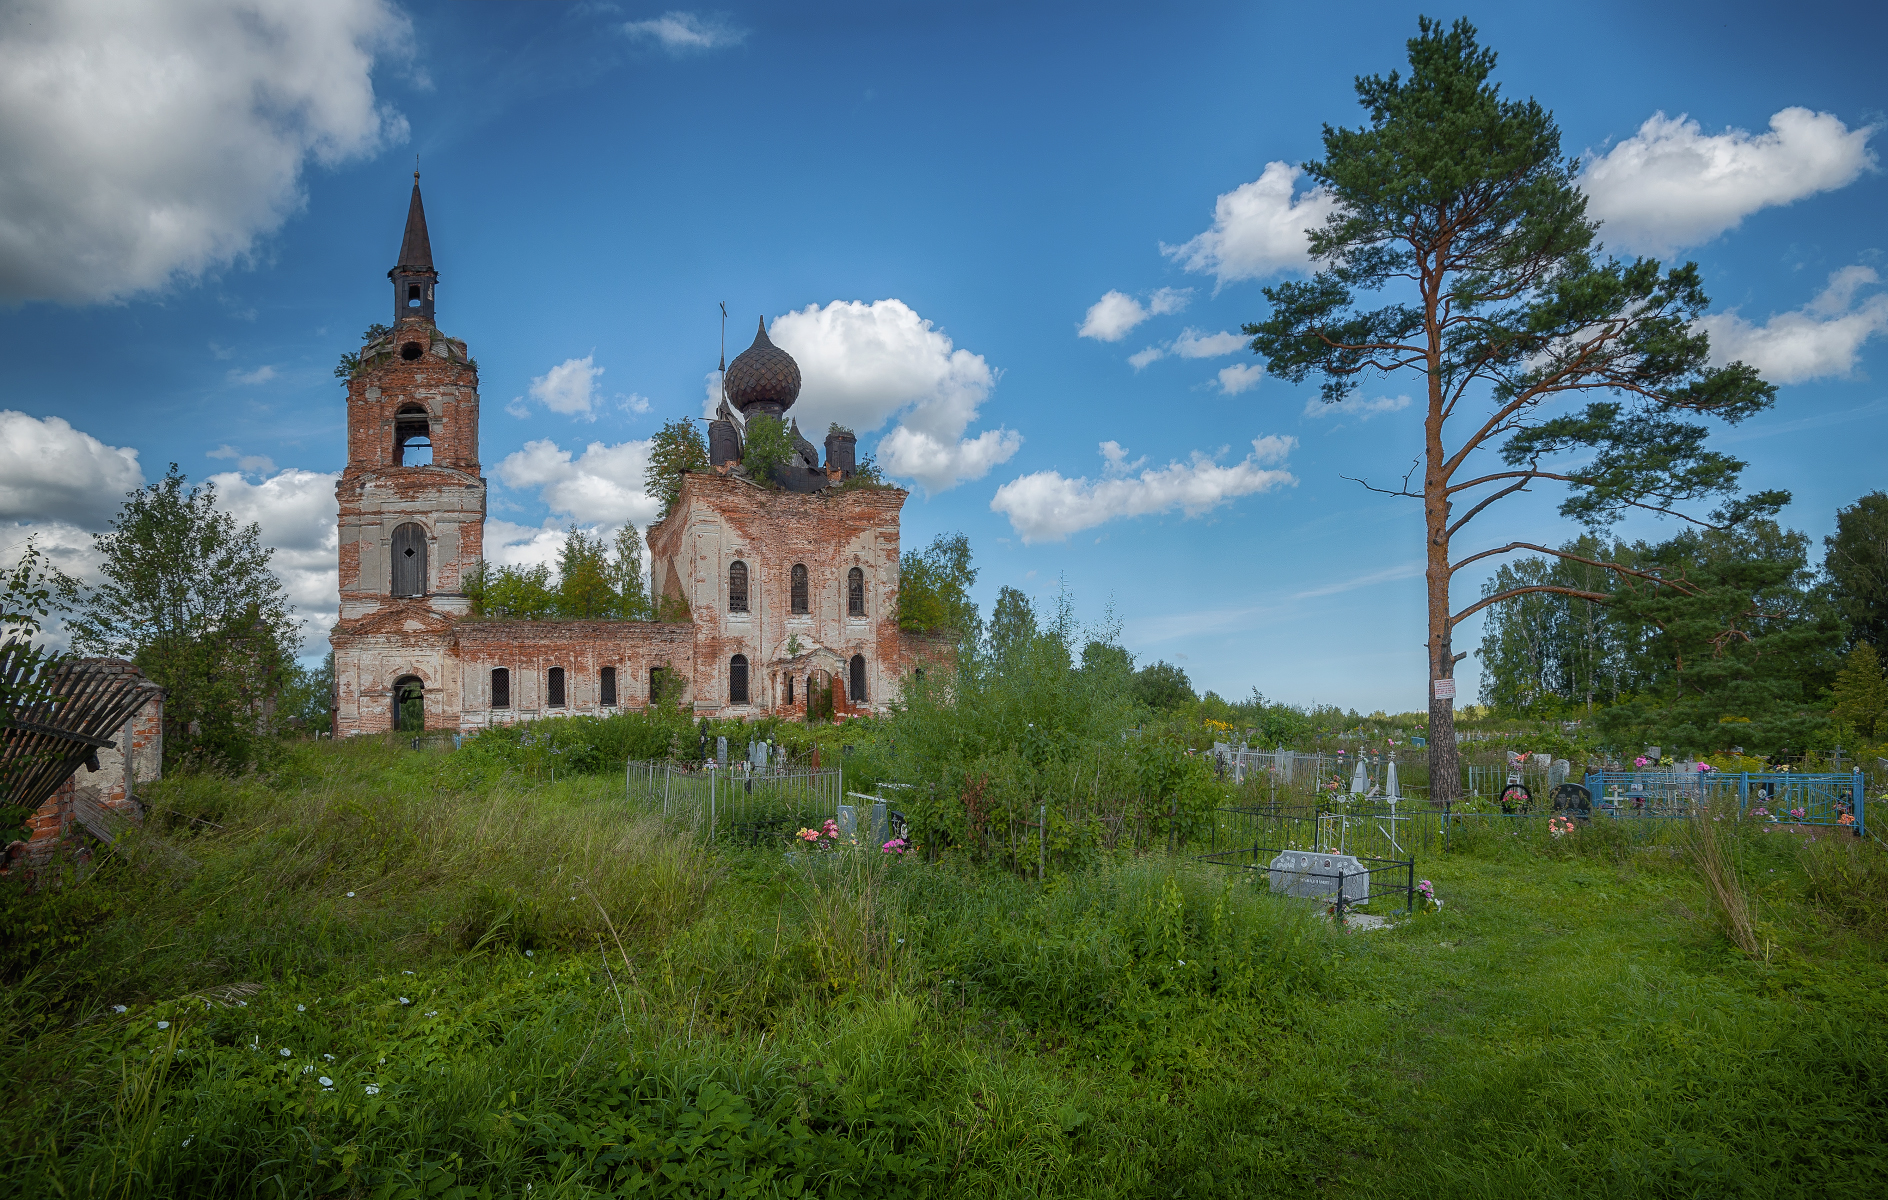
x,y
1672,186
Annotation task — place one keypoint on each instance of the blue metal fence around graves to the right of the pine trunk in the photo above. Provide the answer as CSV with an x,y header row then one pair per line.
x,y
1834,799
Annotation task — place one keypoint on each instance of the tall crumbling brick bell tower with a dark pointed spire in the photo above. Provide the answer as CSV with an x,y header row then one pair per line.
x,y
413,507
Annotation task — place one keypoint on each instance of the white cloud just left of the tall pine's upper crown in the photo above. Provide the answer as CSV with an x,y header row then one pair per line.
x,y
1258,229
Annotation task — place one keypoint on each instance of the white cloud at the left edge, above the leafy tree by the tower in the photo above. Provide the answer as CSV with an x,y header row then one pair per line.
x,y
54,473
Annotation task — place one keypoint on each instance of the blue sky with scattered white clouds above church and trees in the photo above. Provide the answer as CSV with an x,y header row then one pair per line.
x,y
930,205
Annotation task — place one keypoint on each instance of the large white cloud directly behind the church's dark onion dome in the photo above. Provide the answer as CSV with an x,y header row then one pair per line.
x,y
862,365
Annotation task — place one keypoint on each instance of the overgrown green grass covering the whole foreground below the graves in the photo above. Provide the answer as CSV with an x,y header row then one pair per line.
x,y
601,1007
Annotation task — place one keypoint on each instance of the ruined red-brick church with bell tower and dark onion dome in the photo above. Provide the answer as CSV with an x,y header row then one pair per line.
x,y
790,582
